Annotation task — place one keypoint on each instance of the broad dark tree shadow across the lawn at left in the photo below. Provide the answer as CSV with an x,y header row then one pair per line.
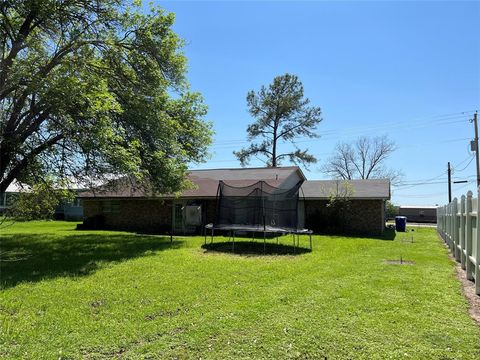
x,y
30,257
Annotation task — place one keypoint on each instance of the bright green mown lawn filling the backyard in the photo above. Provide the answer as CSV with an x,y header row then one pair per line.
x,y
97,294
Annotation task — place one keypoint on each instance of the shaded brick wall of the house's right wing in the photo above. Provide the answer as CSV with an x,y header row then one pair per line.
x,y
359,216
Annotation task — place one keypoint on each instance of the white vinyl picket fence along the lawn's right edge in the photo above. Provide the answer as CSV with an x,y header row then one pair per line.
x,y
457,224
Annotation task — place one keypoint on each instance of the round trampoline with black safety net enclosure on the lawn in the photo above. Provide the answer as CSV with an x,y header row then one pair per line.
x,y
258,208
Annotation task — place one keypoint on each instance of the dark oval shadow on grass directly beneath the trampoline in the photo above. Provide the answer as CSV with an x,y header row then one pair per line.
x,y
243,247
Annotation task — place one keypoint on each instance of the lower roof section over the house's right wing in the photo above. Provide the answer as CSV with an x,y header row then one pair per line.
x,y
356,189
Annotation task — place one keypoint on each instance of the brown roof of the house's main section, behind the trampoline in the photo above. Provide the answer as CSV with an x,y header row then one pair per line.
x,y
205,181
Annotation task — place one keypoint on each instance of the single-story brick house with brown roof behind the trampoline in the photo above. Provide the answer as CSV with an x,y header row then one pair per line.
x,y
131,207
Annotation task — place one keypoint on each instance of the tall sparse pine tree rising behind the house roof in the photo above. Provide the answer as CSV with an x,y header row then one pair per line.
x,y
282,115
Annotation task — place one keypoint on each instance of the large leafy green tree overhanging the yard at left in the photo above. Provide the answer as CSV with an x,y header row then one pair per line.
x,y
90,88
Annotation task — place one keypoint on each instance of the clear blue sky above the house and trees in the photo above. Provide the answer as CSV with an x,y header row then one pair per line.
x,y
408,69
